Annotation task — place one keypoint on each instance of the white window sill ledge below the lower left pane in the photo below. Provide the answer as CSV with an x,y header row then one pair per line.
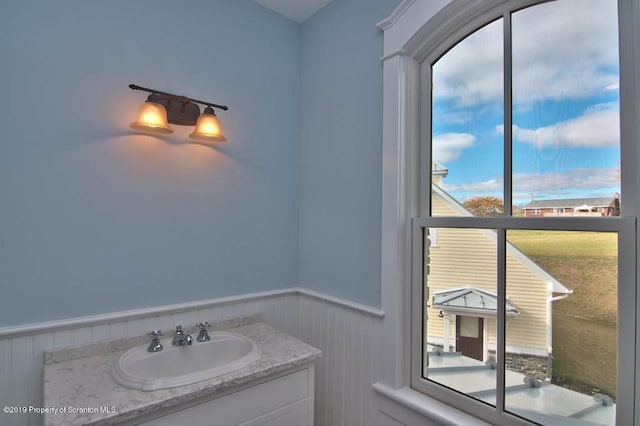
x,y
428,407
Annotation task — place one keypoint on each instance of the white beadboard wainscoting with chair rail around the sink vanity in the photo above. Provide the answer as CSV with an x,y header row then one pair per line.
x,y
347,334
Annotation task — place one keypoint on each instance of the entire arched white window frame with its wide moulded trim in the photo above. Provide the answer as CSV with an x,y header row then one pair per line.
x,y
410,34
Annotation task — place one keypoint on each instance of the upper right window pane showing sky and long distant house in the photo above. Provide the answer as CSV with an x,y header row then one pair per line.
x,y
566,138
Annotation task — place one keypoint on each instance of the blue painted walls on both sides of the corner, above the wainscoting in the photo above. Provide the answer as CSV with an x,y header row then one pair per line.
x,y
96,218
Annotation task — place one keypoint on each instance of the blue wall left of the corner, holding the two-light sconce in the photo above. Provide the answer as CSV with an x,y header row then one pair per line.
x,y
95,218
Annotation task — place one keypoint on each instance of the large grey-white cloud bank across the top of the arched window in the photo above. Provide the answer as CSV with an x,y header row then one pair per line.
x,y
561,50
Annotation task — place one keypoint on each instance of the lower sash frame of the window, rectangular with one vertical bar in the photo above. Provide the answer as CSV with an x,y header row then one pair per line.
x,y
625,227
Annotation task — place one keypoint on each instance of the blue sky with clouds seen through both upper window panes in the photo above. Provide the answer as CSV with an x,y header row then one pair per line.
x,y
565,105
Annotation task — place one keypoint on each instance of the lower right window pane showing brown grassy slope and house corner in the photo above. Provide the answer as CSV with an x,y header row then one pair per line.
x,y
561,335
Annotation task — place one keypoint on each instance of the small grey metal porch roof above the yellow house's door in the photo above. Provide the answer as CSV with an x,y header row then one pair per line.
x,y
470,300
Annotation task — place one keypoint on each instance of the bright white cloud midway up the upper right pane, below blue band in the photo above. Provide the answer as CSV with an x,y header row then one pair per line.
x,y
598,127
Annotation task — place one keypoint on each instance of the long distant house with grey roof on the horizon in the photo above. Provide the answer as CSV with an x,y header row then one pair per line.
x,y
609,206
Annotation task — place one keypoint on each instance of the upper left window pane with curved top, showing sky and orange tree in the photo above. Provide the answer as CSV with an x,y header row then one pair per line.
x,y
467,110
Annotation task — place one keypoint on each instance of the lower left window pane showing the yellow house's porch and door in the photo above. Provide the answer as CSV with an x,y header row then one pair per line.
x,y
461,311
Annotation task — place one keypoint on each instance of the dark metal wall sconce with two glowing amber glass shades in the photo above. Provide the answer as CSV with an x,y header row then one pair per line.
x,y
162,108
